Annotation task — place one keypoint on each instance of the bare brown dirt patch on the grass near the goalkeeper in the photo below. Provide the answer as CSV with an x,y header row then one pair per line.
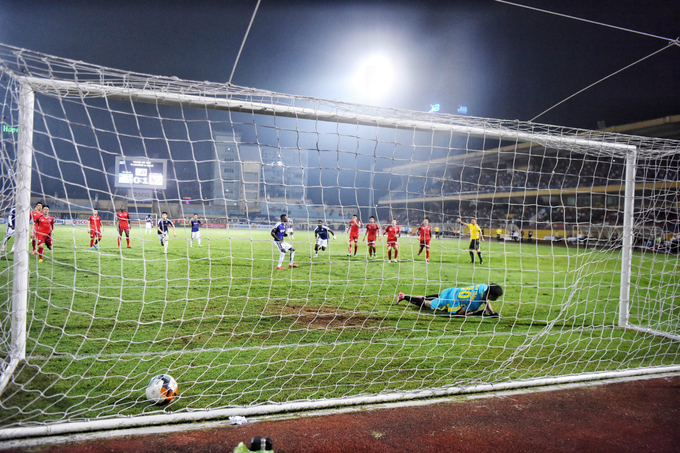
x,y
323,317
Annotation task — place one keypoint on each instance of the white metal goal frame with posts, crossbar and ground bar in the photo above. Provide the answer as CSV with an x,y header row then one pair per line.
x,y
31,85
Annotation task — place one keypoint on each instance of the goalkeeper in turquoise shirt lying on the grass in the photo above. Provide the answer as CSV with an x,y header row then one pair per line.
x,y
472,300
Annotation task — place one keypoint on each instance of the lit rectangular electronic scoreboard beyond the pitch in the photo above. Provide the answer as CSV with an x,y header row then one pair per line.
x,y
141,173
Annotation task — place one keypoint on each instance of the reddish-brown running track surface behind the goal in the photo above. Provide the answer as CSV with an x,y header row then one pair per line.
x,y
634,416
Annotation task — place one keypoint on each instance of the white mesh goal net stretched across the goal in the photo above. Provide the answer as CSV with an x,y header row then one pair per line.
x,y
579,229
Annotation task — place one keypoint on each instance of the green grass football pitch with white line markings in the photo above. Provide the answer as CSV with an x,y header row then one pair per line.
x,y
234,331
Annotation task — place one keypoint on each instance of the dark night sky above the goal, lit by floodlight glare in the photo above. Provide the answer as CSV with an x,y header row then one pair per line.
x,y
500,61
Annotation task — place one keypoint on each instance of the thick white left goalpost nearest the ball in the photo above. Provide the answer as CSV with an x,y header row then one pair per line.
x,y
21,236
